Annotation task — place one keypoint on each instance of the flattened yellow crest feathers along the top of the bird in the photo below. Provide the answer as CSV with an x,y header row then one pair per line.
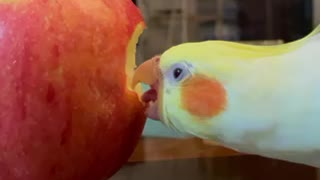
x,y
217,49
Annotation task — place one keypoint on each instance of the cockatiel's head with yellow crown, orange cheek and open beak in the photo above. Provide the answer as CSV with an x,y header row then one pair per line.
x,y
188,85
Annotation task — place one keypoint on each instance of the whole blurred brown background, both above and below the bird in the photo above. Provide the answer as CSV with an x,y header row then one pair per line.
x,y
164,154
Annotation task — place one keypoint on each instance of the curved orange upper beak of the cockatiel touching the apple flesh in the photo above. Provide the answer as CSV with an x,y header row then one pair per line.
x,y
147,72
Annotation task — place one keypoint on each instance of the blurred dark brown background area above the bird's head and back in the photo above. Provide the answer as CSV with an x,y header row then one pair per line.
x,y
171,22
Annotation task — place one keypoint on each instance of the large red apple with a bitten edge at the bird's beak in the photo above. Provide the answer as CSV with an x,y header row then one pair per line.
x,y
66,110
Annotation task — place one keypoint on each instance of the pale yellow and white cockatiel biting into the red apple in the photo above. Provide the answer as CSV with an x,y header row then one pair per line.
x,y
262,100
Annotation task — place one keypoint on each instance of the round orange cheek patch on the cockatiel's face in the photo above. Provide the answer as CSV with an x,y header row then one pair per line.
x,y
203,97
